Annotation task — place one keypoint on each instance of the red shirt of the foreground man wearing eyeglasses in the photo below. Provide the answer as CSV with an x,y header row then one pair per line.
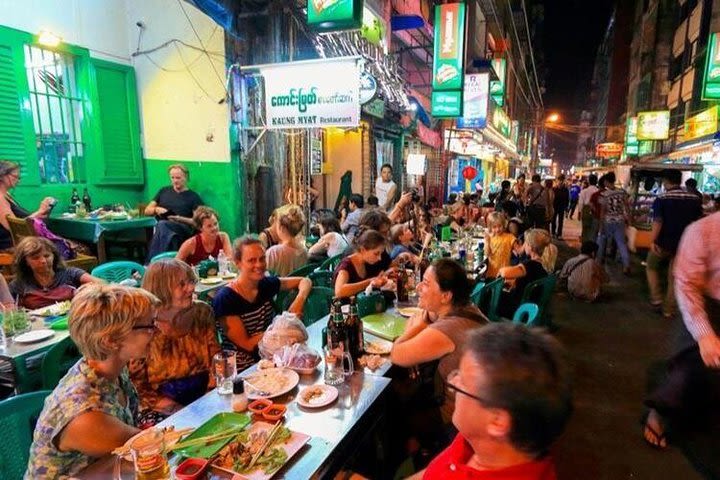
x,y
451,464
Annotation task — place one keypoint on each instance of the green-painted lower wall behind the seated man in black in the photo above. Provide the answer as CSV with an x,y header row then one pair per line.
x,y
215,182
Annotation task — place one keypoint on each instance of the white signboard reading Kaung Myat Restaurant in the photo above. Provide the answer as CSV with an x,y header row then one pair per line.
x,y
312,94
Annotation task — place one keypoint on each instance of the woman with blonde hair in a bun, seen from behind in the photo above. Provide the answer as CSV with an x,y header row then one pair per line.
x,y
289,254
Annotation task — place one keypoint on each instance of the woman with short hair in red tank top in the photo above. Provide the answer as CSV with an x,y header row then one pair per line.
x,y
209,242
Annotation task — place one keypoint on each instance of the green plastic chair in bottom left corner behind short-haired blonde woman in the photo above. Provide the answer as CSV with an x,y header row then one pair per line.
x,y
18,416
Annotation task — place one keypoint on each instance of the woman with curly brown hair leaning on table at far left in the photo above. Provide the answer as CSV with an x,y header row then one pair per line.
x,y
42,278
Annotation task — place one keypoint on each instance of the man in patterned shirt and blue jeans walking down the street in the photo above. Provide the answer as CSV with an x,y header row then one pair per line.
x,y
614,216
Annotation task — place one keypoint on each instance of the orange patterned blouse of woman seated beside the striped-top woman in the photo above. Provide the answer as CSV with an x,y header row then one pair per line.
x,y
176,364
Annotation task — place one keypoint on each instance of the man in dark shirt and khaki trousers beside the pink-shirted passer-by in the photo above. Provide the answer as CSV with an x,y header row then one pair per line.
x,y
672,211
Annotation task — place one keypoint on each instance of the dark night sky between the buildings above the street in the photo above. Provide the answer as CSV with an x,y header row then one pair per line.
x,y
573,31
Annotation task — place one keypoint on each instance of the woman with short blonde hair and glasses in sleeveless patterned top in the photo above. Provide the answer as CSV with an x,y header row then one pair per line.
x,y
91,411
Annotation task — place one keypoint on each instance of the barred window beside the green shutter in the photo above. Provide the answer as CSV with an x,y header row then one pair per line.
x,y
57,112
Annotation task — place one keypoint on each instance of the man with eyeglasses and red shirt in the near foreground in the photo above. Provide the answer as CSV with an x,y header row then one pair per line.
x,y
512,400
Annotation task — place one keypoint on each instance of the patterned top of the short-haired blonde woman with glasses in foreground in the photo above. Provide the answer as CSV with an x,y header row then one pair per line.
x,y
80,391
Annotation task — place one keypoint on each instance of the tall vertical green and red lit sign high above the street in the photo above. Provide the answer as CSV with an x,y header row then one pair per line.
x,y
449,46
